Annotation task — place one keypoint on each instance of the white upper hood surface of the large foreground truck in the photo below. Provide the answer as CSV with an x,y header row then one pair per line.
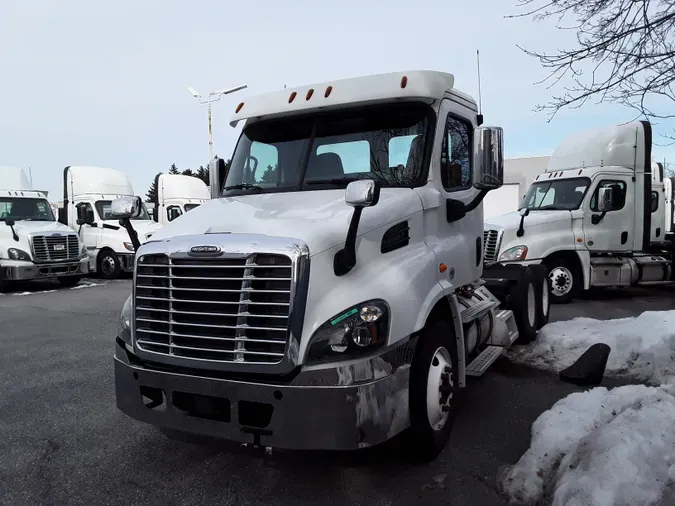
x,y
320,218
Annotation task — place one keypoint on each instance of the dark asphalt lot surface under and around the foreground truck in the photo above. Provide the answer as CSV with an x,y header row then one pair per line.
x,y
64,442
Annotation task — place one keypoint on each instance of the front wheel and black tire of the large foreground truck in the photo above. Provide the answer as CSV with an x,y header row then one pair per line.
x,y
433,391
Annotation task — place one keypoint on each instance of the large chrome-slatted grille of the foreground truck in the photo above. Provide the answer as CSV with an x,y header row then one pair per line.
x,y
224,310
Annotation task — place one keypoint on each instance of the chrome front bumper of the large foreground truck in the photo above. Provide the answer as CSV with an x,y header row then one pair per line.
x,y
341,408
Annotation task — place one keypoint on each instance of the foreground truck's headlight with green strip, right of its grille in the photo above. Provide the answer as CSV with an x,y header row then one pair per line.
x,y
357,330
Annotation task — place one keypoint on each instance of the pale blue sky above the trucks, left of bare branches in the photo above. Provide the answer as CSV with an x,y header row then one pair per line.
x,y
95,83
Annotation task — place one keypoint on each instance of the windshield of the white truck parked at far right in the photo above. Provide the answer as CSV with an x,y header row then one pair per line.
x,y
562,194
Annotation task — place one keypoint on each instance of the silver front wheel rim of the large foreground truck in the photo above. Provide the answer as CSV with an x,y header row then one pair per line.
x,y
440,383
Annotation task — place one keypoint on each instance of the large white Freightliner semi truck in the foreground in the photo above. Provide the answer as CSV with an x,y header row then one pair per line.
x,y
332,293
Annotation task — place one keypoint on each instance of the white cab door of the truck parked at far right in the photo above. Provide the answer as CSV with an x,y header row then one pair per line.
x,y
613,230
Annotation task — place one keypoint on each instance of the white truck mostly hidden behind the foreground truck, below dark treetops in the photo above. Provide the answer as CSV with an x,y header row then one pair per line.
x,y
177,194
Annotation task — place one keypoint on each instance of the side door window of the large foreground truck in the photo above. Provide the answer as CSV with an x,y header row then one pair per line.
x,y
456,155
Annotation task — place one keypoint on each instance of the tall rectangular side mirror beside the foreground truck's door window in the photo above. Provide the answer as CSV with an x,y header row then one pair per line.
x,y
488,158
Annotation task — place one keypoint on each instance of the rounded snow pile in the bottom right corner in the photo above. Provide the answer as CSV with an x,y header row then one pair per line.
x,y
600,448
